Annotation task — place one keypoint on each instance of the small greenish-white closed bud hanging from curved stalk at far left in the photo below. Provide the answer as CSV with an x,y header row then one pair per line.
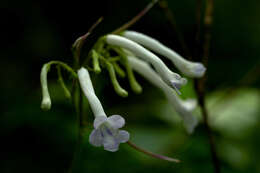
x,y
46,100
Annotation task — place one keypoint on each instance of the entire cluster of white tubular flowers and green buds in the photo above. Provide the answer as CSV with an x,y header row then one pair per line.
x,y
133,50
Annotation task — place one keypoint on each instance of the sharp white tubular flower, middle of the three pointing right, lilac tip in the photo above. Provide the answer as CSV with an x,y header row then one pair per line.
x,y
172,79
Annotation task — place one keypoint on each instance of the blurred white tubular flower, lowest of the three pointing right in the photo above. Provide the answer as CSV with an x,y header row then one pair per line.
x,y
184,108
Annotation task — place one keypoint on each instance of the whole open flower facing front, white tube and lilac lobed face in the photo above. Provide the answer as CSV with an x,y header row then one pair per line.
x,y
106,129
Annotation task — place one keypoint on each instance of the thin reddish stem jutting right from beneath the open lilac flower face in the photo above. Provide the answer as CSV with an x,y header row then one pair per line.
x,y
157,156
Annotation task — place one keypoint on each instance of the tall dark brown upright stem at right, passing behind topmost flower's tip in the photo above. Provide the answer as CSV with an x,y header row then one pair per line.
x,y
200,84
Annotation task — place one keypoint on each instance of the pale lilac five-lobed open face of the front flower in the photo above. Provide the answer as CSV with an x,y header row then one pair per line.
x,y
106,132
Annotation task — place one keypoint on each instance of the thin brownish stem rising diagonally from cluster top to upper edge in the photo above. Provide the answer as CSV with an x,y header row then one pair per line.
x,y
136,18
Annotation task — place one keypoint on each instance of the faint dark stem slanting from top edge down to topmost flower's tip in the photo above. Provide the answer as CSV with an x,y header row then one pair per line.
x,y
171,19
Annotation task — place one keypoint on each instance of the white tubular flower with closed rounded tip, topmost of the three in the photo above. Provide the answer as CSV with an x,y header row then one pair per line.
x,y
191,69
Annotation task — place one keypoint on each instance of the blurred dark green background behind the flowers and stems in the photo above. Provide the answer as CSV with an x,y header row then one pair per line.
x,y
35,32
